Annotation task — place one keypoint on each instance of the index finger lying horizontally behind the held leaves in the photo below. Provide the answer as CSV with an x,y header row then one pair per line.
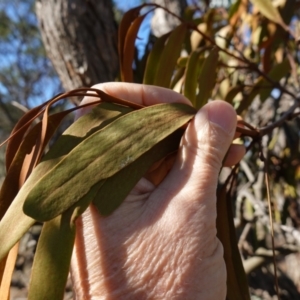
x,y
138,93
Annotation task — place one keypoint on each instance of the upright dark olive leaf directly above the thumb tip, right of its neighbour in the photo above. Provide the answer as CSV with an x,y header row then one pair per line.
x,y
207,78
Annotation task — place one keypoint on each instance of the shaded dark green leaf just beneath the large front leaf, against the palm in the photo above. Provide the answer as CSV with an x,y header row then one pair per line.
x,y
116,188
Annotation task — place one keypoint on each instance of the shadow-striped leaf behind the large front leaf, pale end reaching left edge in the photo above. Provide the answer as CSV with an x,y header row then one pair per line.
x,y
15,223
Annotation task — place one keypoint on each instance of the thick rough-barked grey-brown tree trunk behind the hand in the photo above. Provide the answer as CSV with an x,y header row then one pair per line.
x,y
80,37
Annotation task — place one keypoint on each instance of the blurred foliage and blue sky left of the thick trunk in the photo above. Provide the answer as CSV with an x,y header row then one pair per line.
x,y
25,70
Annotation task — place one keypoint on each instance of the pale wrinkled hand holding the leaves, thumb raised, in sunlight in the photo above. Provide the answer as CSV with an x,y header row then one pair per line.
x,y
161,242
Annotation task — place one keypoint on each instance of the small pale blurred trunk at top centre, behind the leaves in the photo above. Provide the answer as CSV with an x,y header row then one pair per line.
x,y
162,22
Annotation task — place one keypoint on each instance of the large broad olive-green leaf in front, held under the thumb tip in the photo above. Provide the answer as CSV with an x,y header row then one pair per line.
x,y
122,142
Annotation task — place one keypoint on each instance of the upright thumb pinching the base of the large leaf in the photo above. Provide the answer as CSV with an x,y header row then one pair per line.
x,y
203,148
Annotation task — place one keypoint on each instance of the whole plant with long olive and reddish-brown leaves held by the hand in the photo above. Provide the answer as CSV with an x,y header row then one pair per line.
x,y
203,58
